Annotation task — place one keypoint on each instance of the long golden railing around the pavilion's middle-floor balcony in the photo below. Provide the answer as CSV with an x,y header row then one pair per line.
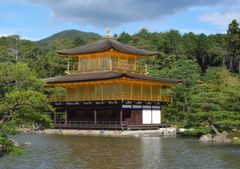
x,y
110,97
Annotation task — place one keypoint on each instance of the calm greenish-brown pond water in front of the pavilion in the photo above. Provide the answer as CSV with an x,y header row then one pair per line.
x,y
64,152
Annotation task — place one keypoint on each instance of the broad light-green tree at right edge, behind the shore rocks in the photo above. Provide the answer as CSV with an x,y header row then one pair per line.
x,y
217,100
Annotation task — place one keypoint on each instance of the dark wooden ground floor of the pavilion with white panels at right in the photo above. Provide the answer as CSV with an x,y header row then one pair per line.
x,y
108,115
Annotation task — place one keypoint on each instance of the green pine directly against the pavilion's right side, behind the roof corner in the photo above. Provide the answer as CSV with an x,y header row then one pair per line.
x,y
189,72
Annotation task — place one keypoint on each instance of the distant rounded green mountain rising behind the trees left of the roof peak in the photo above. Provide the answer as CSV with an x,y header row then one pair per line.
x,y
67,34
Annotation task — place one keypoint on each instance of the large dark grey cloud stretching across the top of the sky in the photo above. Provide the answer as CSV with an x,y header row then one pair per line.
x,y
102,13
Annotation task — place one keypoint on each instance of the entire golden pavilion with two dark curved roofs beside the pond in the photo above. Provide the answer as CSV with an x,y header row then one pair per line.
x,y
106,87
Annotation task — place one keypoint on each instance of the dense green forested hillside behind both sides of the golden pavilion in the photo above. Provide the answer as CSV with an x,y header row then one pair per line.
x,y
209,66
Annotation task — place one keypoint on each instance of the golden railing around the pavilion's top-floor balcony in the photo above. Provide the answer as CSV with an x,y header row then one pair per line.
x,y
107,66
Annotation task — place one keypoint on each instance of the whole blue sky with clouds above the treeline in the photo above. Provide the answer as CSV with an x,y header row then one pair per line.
x,y
37,19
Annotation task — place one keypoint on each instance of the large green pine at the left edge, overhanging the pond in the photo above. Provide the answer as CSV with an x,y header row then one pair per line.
x,y
22,102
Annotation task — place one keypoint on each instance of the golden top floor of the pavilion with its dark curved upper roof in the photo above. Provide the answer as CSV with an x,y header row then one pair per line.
x,y
106,55
